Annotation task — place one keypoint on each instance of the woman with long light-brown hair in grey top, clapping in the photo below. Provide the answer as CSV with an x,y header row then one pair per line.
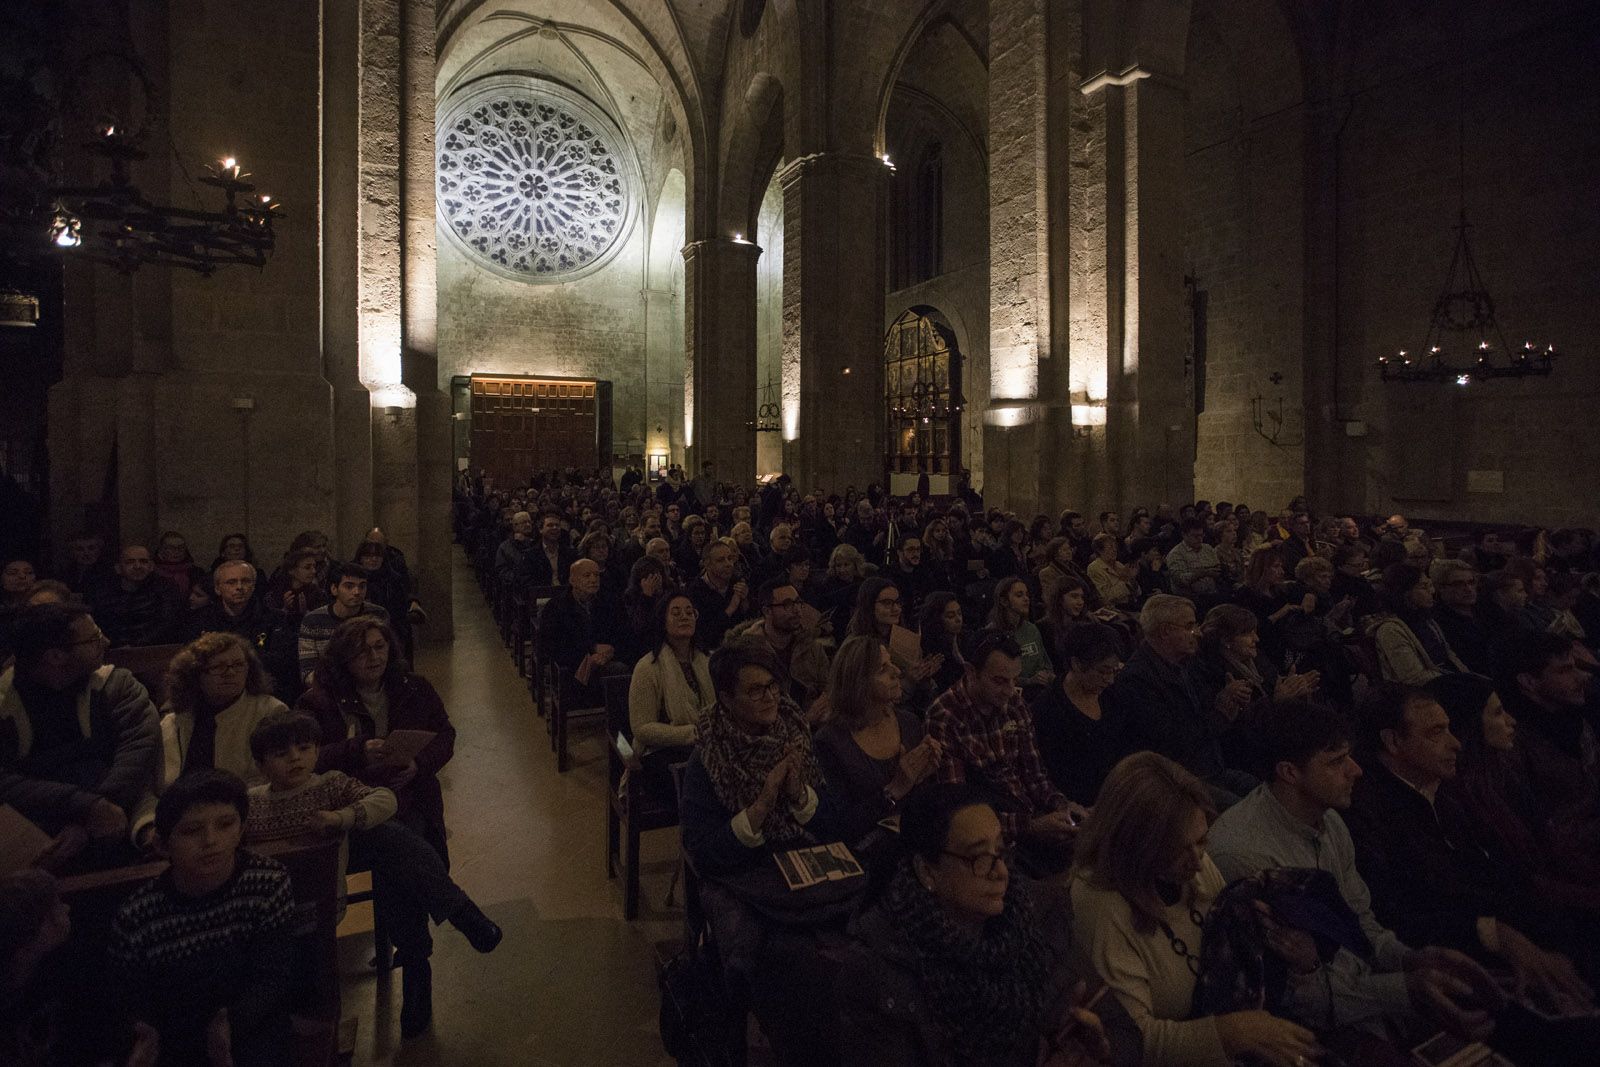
x,y
871,751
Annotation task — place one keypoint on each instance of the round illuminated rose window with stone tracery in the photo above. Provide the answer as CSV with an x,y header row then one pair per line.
x,y
532,180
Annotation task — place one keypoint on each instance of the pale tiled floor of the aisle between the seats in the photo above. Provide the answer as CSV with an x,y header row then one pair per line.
x,y
572,986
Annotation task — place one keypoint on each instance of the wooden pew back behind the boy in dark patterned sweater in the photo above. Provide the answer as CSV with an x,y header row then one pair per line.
x,y
314,874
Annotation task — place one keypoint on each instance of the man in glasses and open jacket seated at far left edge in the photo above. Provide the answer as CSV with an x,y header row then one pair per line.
x,y
79,741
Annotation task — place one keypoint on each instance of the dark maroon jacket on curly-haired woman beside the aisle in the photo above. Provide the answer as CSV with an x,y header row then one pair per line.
x,y
348,727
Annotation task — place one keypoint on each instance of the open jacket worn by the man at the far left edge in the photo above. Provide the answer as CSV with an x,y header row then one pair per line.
x,y
116,759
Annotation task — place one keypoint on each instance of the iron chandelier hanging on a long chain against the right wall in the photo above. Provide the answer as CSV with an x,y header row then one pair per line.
x,y
1465,342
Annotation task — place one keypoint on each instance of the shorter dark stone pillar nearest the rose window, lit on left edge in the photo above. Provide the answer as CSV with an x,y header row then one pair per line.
x,y
719,330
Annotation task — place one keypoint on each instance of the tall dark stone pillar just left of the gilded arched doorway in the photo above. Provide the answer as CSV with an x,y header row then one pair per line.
x,y
834,318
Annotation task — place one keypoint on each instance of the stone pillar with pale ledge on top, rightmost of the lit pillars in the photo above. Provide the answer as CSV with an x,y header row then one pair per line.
x,y
1150,414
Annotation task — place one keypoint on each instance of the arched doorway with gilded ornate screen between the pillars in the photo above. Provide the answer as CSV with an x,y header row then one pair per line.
x,y
922,402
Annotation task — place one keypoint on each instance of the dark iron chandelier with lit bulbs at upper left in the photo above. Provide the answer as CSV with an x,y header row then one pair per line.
x,y
118,225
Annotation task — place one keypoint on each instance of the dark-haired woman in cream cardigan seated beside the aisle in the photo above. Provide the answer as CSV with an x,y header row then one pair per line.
x,y
670,690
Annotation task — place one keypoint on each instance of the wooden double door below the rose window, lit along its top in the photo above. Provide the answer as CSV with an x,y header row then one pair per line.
x,y
526,425
